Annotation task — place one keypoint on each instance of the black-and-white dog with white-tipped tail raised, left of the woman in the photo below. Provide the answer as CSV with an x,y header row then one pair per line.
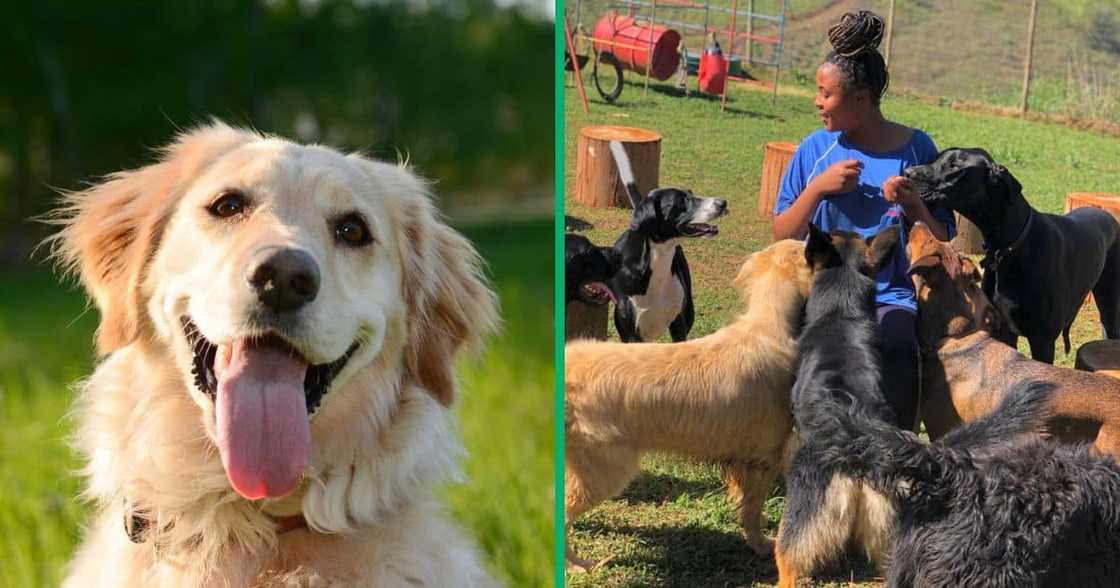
x,y
654,284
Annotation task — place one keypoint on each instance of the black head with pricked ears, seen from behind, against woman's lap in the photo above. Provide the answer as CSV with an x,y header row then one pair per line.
x,y
842,249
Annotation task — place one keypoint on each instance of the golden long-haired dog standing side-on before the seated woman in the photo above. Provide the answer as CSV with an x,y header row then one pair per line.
x,y
722,398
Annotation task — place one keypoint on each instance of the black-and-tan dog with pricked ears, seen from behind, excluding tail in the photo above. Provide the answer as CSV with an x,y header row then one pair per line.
x,y
838,350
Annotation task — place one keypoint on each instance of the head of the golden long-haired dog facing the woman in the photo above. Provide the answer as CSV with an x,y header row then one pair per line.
x,y
779,277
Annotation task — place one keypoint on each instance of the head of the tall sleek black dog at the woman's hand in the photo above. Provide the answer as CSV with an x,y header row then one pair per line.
x,y
967,181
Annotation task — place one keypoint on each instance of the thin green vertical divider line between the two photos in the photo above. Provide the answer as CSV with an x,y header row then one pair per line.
x,y
558,294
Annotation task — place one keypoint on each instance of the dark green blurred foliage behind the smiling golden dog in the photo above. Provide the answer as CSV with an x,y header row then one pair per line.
x,y
462,88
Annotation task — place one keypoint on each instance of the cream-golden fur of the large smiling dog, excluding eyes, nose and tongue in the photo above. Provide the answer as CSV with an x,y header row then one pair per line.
x,y
151,251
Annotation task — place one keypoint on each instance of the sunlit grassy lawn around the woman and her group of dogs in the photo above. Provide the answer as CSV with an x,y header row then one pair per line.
x,y
674,526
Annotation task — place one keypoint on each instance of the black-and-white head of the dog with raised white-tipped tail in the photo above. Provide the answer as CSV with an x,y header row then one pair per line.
x,y
673,213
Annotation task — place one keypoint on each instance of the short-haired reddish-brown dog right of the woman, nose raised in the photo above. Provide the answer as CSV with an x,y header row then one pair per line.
x,y
966,372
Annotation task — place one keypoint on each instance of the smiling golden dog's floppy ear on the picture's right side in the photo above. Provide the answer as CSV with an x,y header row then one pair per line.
x,y
451,304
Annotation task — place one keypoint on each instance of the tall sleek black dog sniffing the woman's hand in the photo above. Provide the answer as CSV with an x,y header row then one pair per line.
x,y
1039,267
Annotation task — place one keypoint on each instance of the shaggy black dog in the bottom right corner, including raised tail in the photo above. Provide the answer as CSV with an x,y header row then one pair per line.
x,y
990,505
